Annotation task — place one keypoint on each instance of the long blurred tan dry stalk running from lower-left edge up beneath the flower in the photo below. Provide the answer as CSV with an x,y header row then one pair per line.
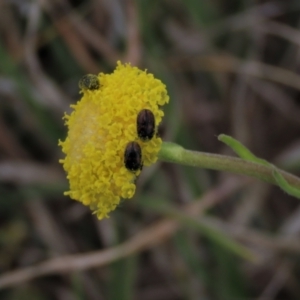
x,y
145,239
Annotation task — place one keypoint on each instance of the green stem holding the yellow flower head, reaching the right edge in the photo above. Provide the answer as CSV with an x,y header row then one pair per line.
x,y
174,153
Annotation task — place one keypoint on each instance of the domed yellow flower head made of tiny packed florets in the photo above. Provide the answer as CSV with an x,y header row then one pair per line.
x,y
101,126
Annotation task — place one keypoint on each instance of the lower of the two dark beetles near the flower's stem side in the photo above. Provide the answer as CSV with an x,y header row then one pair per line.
x,y
133,157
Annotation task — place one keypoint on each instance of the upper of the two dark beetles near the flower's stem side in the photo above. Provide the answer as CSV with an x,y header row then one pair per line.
x,y
145,124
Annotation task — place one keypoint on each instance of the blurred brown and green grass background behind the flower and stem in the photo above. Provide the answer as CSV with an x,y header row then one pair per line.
x,y
230,67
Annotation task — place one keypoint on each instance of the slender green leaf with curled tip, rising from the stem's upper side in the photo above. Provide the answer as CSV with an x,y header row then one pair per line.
x,y
241,150
